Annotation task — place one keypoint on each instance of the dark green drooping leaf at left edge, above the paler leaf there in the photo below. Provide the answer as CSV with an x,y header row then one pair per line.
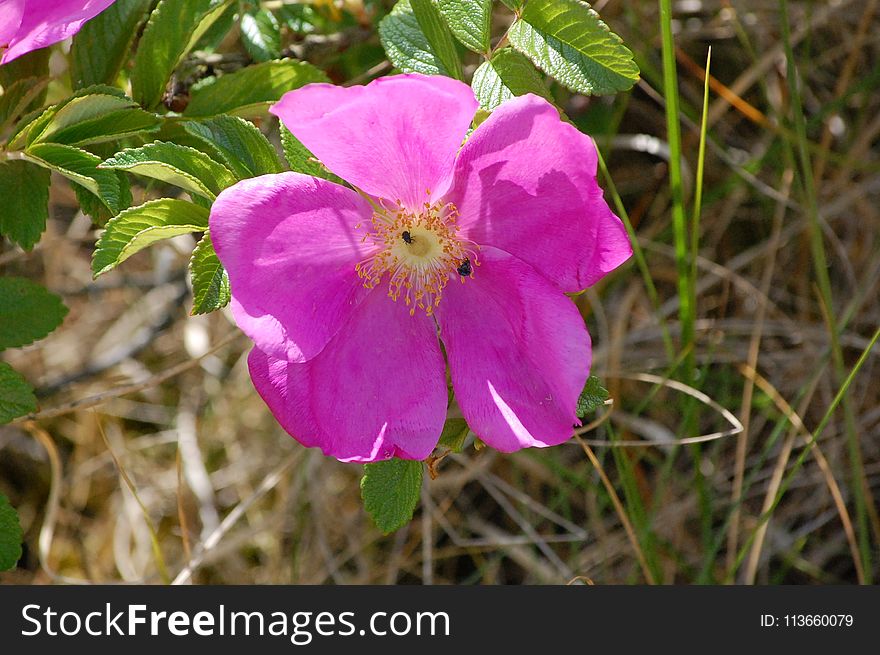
x,y
24,188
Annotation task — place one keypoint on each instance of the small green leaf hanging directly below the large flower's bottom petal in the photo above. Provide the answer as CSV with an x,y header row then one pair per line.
x,y
390,491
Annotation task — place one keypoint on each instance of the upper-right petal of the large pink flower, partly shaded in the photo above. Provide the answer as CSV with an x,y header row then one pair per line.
x,y
525,182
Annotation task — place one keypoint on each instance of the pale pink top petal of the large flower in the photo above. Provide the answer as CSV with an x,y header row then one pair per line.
x,y
394,138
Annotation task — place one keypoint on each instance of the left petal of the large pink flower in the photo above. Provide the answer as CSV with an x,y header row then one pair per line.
x,y
289,245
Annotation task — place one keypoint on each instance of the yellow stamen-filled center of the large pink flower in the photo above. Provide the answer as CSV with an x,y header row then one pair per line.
x,y
419,250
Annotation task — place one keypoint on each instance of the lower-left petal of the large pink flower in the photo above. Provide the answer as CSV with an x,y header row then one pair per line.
x,y
378,390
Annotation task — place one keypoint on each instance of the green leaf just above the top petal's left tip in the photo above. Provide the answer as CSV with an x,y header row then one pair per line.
x,y
250,91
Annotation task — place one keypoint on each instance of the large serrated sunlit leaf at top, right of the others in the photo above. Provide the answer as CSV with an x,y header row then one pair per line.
x,y
567,40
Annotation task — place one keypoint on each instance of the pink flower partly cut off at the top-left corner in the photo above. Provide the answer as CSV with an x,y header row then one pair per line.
x,y
27,25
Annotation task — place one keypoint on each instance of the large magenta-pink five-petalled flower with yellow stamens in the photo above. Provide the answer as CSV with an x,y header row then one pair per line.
x,y
345,292
